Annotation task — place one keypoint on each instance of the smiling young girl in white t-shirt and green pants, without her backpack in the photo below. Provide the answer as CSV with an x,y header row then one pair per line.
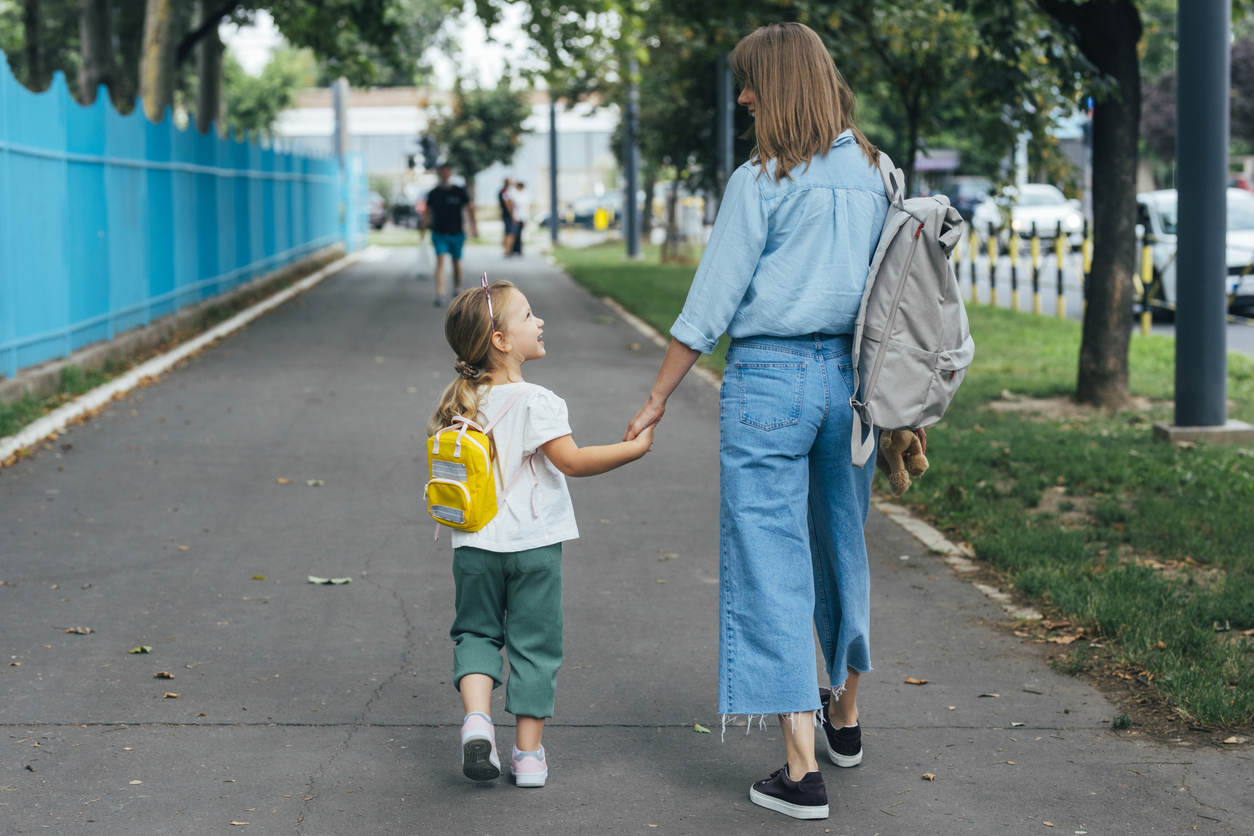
x,y
515,563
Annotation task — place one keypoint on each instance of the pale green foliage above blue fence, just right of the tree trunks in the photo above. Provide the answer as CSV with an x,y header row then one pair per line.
x,y
253,103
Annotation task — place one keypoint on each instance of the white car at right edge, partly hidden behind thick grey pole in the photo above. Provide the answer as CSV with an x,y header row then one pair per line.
x,y
1157,216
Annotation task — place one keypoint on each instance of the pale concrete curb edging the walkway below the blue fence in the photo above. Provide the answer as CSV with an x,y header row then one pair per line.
x,y
56,422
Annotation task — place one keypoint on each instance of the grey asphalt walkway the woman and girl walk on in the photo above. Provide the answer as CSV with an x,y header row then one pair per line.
x,y
328,710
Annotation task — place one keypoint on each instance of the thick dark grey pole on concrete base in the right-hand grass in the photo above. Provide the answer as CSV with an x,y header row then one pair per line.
x,y
1202,162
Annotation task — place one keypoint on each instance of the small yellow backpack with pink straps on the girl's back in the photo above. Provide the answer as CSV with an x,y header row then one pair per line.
x,y
462,492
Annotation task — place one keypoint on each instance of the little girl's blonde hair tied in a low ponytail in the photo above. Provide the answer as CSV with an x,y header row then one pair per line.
x,y
468,328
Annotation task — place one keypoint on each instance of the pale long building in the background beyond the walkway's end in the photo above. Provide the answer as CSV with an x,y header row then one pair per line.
x,y
386,126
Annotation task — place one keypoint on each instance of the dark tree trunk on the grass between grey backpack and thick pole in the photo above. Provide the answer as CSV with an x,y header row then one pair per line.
x,y
1108,32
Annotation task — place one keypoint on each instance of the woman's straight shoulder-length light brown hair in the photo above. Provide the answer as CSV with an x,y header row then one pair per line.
x,y
803,101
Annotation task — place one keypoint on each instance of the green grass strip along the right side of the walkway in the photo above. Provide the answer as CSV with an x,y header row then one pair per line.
x,y
1148,546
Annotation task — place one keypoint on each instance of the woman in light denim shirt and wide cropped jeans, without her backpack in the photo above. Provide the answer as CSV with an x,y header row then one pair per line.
x,y
783,275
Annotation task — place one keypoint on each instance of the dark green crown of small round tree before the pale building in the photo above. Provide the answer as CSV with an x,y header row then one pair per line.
x,y
482,127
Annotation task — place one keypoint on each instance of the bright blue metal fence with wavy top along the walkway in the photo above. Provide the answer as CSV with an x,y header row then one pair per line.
x,y
108,221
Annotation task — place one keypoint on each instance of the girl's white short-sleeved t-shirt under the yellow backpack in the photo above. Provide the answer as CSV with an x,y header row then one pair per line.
x,y
535,419
